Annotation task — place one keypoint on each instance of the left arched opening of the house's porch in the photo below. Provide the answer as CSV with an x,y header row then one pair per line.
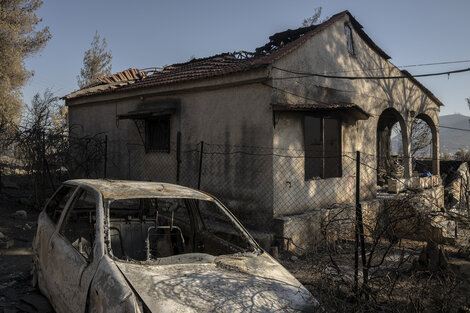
x,y
398,165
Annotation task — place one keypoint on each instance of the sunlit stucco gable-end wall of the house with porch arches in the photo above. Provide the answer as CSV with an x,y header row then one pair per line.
x,y
327,53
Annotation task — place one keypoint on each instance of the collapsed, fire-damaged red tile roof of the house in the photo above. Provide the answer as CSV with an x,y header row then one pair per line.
x,y
279,45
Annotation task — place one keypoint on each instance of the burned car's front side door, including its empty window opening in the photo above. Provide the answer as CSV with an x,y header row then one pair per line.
x,y
72,257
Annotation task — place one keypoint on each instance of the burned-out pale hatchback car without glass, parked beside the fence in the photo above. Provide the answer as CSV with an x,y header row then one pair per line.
x,y
127,246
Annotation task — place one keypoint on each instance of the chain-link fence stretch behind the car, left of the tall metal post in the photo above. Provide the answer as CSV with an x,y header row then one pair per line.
x,y
266,188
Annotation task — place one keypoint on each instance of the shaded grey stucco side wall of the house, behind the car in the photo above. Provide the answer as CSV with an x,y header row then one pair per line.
x,y
228,120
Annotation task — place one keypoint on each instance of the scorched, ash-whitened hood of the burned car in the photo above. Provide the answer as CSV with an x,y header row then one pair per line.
x,y
231,283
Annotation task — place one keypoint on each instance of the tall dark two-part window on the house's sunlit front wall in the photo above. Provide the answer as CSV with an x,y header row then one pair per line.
x,y
322,139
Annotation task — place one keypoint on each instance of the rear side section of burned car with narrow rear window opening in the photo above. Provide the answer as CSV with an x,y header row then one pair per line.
x,y
47,223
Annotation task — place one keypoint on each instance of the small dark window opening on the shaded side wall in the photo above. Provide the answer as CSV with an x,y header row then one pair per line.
x,y
157,134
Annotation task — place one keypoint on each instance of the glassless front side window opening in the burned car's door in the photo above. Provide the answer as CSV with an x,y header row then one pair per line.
x,y
78,226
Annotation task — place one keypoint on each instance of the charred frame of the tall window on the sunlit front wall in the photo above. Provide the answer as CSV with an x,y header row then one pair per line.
x,y
311,160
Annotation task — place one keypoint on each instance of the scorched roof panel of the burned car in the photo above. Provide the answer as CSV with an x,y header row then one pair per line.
x,y
128,189
